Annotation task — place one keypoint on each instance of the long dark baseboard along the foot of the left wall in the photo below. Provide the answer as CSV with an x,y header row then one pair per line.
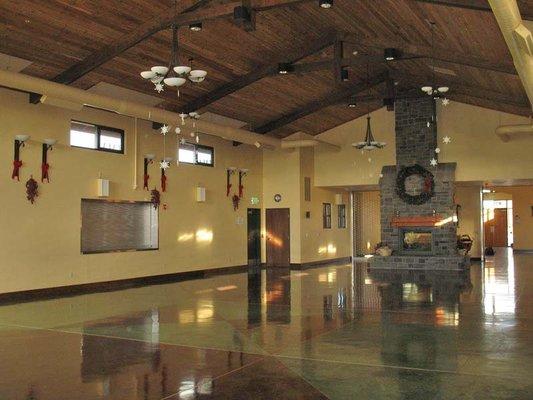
x,y
109,286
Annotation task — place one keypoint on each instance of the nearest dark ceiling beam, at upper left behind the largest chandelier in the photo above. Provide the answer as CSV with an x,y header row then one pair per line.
x,y
190,11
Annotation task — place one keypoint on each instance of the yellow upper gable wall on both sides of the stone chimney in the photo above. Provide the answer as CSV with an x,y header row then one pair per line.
x,y
480,155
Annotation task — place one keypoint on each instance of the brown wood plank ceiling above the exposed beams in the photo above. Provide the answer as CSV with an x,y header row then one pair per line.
x,y
57,34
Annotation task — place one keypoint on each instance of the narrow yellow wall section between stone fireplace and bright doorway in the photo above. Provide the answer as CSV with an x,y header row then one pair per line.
x,y
468,198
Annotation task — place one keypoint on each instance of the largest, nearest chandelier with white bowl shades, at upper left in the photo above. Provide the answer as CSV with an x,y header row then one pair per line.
x,y
174,75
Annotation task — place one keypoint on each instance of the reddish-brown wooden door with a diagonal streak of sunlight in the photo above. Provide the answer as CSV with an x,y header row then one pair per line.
x,y
278,237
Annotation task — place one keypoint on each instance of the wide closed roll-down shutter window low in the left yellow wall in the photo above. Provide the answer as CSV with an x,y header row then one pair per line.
x,y
118,226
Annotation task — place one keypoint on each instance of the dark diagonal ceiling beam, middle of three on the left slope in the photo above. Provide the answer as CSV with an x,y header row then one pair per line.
x,y
259,73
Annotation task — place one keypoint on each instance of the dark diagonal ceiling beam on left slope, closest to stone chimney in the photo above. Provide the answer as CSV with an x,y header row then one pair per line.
x,y
334,97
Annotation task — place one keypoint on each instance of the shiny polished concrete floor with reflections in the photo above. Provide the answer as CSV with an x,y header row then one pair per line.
x,y
337,332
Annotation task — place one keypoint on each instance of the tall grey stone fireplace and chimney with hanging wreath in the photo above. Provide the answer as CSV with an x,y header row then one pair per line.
x,y
422,236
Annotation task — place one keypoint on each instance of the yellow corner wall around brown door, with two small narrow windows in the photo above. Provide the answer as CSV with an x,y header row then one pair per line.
x,y
284,174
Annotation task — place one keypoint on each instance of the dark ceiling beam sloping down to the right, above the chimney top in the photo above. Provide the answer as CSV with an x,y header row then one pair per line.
x,y
441,53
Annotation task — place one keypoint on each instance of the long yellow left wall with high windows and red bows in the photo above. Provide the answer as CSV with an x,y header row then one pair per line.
x,y
40,243
